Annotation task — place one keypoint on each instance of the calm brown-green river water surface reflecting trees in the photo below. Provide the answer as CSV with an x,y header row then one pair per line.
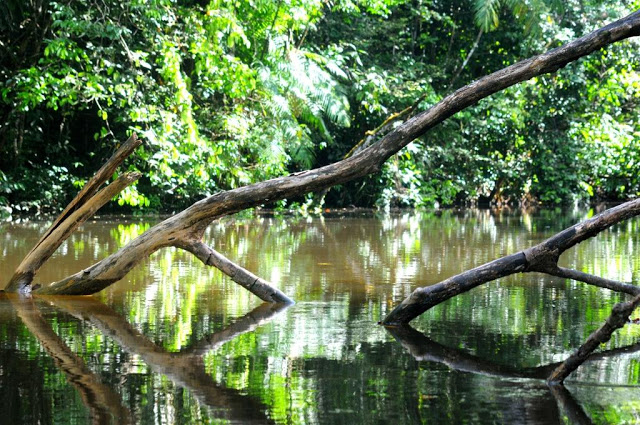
x,y
176,342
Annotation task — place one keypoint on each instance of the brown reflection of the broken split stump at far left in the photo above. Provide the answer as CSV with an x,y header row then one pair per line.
x,y
104,404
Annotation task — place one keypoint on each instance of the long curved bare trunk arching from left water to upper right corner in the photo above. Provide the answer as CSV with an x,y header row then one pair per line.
x,y
185,229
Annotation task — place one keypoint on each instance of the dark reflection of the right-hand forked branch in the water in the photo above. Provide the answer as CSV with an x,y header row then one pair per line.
x,y
422,348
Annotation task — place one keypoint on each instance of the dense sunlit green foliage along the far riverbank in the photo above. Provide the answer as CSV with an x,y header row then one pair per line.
x,y
226,93
